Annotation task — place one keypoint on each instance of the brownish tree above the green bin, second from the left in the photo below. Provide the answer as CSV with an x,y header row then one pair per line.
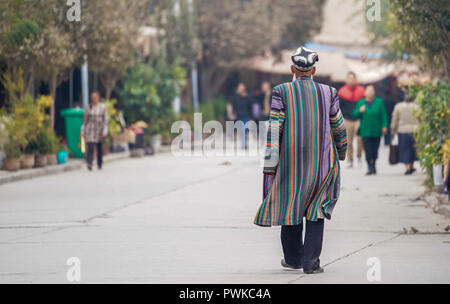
x,y
108,35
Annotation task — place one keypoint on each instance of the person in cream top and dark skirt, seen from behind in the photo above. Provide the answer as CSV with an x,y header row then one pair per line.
x,y
403,124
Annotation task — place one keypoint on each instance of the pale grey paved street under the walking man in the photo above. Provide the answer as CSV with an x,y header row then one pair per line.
x,y
189,220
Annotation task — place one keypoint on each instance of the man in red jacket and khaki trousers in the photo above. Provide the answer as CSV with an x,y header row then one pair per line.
x,y
349,95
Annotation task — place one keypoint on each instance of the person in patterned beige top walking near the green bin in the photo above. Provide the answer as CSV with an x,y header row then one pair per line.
x,y
95,129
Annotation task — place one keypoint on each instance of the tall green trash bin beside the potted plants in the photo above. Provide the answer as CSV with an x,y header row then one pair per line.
x,y
74,120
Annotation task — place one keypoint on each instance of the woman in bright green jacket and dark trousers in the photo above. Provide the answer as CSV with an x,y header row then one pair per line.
x,y
374,124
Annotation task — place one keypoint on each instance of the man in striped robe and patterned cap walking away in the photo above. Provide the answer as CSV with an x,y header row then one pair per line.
x,y
305,141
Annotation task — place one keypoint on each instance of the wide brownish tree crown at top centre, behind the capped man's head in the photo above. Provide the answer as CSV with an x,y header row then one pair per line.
x,y
220,35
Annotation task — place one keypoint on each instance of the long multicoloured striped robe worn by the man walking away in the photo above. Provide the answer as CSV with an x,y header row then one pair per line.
x,y
305,141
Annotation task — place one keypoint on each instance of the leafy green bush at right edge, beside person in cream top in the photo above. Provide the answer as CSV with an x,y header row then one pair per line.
x,y
434,127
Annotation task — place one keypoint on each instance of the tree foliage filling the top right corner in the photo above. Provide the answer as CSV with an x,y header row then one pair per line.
x,y
419,29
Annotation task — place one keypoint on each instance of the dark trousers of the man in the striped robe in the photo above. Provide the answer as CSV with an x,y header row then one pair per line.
x,y
298,253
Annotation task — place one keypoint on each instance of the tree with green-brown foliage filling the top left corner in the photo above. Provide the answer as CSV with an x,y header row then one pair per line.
x,y
36,39
